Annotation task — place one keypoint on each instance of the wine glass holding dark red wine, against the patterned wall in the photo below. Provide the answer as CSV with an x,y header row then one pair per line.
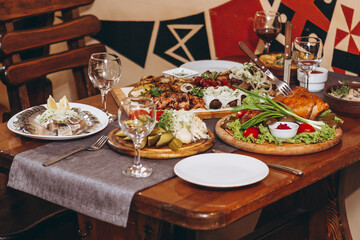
x,y
267,25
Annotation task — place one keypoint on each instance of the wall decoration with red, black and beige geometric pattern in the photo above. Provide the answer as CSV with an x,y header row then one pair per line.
x,y
150,44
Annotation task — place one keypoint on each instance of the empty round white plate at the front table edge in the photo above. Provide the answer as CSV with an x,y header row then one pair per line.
x,y
222,170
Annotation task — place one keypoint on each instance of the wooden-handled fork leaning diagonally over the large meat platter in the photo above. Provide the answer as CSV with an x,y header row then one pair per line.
x,y
281,85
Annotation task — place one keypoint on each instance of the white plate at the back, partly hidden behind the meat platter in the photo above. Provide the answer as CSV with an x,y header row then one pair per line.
x,y
202,66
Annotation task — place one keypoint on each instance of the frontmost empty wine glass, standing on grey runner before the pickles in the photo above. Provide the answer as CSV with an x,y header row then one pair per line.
x,y
137,119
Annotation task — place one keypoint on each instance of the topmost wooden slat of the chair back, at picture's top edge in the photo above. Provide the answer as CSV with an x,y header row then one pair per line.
x,y
14,9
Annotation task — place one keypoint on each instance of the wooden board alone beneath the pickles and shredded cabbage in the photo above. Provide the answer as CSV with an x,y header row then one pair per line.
x,y
127,147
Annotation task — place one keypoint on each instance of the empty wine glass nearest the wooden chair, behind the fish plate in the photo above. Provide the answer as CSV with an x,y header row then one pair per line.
x,y
104,71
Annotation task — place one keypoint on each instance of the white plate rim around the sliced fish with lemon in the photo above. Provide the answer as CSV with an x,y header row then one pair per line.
x,y
102,117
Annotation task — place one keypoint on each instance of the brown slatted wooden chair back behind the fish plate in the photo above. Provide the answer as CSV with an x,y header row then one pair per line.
x,y
27,33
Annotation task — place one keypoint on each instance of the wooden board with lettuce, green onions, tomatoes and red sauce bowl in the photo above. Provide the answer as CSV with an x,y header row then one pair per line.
x,y
251,128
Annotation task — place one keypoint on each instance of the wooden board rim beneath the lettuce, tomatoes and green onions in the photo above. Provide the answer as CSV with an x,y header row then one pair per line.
x,y
271,148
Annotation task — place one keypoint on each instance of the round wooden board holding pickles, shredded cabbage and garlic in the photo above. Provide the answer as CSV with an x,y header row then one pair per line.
x,y
176,134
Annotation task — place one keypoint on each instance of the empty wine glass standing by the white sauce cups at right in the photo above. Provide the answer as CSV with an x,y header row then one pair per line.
x,y
307,54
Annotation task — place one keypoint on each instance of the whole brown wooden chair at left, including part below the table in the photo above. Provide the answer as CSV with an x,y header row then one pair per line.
x,y
27,32
